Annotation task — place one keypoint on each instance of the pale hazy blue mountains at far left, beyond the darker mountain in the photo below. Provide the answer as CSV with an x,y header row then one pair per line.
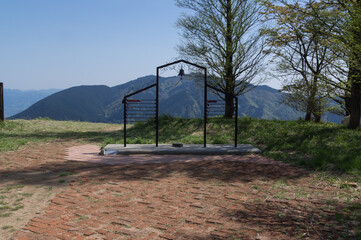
x,y
16,101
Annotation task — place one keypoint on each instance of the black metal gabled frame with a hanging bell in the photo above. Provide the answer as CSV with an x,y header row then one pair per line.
x,y
131,105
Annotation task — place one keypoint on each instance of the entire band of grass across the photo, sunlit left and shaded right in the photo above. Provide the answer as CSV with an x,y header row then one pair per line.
x,y
312,145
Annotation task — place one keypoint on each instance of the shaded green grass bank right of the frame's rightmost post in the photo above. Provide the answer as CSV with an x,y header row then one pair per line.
x,y
317,146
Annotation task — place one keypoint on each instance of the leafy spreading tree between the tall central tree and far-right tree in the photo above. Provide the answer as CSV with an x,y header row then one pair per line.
x,y
301,53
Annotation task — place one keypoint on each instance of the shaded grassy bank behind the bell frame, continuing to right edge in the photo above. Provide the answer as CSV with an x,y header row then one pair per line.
x,y
312,145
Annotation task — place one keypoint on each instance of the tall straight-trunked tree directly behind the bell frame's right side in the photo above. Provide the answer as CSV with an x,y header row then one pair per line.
x,y
222,35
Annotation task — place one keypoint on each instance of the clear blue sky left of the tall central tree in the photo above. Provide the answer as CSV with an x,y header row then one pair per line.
x,y
64,43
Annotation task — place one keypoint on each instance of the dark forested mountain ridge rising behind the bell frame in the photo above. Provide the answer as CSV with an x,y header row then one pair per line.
x,y
177,98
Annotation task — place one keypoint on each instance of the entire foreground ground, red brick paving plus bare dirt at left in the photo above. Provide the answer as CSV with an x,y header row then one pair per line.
x,y
44,196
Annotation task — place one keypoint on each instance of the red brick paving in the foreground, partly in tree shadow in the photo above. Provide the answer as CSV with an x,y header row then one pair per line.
x,y
226,198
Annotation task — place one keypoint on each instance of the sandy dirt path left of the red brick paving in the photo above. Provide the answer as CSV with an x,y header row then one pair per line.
x,y
29,178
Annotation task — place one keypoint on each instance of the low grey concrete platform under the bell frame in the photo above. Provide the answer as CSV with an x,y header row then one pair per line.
x,y
192,149
